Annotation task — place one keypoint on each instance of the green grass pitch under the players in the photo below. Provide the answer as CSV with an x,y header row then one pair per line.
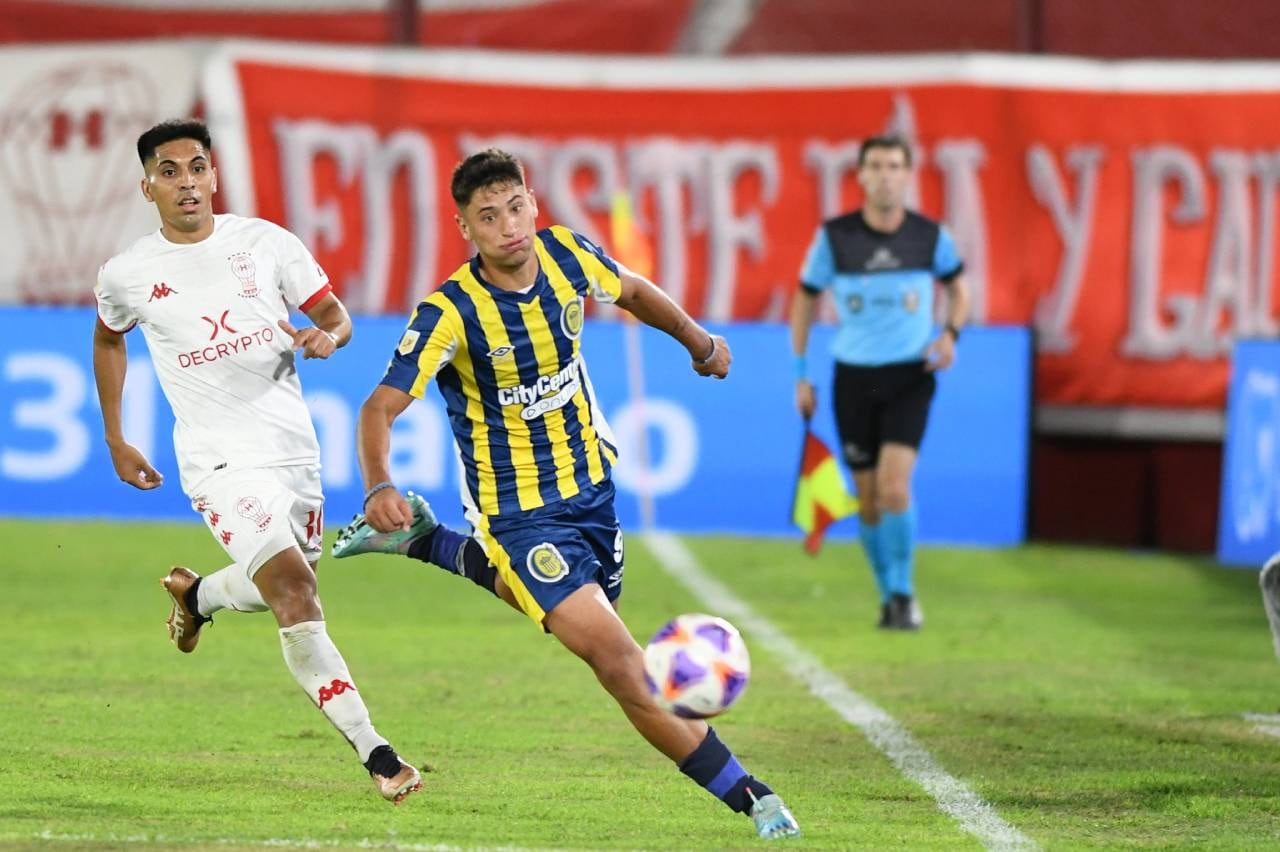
x,y
1094,699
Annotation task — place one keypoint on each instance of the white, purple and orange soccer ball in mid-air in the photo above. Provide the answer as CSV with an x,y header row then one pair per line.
x,y
697,666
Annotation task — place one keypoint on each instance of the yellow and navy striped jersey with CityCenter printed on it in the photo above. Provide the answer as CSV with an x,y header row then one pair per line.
x,y
515,387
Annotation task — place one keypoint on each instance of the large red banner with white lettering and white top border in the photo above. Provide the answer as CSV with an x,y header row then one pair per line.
x,y
1127,210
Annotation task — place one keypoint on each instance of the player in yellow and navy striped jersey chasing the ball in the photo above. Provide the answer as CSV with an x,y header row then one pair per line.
x,y
502,341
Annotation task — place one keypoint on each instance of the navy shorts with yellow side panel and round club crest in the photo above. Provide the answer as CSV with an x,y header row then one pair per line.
x,y
547,555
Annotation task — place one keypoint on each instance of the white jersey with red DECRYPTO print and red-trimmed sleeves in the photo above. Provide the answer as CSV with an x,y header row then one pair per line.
x,y
209,314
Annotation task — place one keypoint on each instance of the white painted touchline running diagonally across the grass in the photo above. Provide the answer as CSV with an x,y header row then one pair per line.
x,y
886,734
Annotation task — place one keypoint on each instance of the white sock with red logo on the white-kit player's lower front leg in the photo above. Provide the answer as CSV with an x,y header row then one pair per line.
x,y
321,671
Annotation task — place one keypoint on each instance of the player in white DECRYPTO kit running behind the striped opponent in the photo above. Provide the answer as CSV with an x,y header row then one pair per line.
x,y
212,296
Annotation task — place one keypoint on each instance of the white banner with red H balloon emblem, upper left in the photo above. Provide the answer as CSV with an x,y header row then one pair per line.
x,y
70,172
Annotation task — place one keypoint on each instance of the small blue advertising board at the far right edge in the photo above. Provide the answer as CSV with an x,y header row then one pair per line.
x,y
1249,526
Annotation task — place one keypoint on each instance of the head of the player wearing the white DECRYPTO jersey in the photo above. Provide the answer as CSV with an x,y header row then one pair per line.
x,y
182,182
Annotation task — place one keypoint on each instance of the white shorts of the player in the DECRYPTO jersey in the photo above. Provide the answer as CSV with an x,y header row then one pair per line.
x,y
260,512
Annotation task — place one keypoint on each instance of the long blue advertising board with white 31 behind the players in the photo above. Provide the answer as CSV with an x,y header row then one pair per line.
x,y
723,456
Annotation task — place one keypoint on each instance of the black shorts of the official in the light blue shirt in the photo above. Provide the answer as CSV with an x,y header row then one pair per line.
x,y
877,406
